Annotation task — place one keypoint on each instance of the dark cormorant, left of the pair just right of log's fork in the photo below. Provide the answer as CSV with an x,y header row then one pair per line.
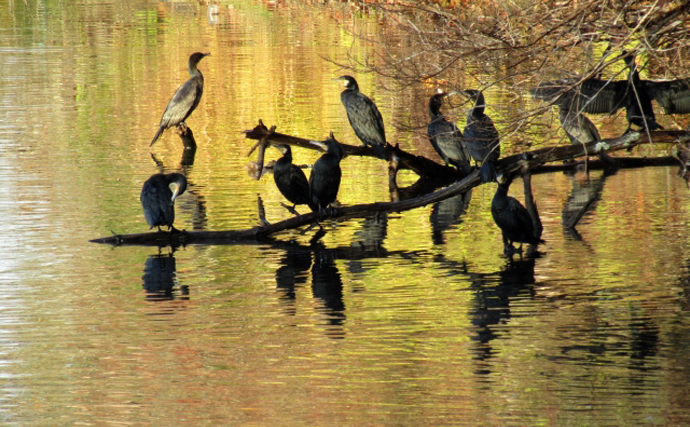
x,y
445,136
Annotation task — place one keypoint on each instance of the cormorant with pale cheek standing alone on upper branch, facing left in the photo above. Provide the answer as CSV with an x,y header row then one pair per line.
x,y
363,116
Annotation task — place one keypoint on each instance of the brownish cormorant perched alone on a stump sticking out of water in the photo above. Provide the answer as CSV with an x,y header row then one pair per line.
x,y
185,99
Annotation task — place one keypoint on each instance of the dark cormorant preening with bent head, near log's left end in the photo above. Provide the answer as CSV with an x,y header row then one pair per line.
x,y
158,200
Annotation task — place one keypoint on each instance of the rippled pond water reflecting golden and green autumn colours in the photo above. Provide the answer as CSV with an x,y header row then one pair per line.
x,y
412,319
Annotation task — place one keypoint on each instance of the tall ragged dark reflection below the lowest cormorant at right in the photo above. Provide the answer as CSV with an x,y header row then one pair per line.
x,y
492,304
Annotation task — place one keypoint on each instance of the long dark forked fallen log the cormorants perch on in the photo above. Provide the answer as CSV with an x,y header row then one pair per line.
x,y
529,161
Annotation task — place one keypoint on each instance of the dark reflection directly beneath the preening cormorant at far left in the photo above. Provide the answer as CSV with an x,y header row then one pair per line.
x,y
160,279
